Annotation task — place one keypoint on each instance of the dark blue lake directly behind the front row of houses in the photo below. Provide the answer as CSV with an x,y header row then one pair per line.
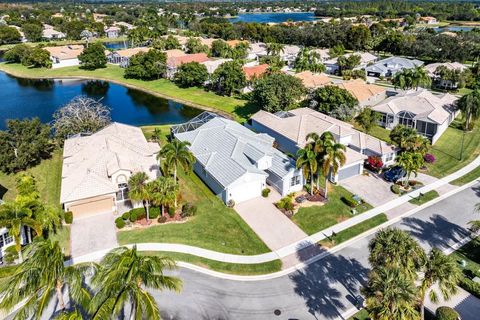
x,y
27,98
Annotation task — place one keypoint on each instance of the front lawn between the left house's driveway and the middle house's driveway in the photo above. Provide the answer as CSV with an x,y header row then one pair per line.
x,y
214,227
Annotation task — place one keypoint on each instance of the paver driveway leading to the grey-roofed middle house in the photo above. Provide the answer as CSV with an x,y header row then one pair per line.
x,y
269,223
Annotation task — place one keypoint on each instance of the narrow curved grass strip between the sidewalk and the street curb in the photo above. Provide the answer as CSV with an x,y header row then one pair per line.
x,y
232,268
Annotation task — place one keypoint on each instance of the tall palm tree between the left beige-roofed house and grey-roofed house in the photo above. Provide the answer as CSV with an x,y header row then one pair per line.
x,y
175,154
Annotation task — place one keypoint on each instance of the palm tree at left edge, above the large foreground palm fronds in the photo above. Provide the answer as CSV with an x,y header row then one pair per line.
x,y
13,216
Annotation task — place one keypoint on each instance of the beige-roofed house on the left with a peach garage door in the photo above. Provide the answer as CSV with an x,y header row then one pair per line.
x,y
96,168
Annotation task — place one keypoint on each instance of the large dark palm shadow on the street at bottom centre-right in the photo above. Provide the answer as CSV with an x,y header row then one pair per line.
x,y
327,284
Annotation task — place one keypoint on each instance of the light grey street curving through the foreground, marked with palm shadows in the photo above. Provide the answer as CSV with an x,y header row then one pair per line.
x,y
323,290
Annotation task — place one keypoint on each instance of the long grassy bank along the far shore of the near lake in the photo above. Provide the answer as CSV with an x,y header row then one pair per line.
x,y
196,97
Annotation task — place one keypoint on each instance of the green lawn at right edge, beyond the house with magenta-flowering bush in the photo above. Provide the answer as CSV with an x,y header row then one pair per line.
x,y
447,150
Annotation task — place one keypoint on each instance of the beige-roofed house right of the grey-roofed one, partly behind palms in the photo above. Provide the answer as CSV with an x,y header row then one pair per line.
x,y
290,129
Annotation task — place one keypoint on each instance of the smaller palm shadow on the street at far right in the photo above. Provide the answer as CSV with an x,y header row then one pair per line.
x,y
437,231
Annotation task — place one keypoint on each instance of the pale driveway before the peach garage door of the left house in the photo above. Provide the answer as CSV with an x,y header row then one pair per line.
x,y
93,233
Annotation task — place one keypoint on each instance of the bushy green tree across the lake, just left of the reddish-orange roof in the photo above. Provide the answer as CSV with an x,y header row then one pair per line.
x,y
147,65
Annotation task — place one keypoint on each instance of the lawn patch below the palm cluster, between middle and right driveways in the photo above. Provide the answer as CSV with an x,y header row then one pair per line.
x,y
316,218
